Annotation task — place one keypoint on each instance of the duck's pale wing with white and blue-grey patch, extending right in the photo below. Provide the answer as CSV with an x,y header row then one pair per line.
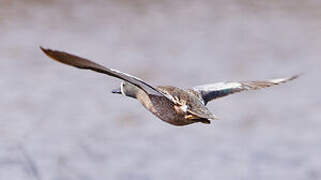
x,y
209,92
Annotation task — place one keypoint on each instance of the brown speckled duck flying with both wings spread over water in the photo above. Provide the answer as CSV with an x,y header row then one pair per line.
x,y
171,104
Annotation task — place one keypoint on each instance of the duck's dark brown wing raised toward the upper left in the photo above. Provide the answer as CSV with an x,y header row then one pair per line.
x,y
83,63
